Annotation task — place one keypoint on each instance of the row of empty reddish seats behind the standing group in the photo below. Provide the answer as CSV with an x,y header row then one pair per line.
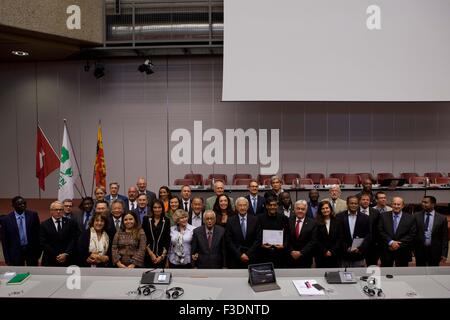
x,y
313,178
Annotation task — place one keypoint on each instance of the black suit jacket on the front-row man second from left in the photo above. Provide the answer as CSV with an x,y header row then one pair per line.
x,y
54,243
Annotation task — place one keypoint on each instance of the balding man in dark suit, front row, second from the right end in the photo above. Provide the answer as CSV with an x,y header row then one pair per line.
x,y
397,234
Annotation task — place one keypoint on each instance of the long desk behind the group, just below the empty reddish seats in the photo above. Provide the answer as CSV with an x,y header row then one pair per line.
x,y
412,194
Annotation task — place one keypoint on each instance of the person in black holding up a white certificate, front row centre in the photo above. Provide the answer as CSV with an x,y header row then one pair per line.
x,y
274,228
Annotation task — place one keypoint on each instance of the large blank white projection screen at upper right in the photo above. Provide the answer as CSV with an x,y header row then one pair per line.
x,y
336,50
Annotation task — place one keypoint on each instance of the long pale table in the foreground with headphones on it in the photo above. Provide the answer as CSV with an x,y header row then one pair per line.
x,y
222,284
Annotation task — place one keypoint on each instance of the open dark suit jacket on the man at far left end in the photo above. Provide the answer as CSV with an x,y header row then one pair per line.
x,y
11,239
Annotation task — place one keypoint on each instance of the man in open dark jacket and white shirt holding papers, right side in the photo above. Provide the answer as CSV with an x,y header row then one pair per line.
x,y
355,226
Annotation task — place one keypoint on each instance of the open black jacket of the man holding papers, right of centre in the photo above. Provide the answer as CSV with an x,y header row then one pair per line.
x,y
362,230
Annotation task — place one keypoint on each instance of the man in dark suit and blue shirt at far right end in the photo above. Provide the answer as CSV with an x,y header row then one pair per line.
x,y
431,243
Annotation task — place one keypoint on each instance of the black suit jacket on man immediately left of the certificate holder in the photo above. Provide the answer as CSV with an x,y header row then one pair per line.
x,y
237,245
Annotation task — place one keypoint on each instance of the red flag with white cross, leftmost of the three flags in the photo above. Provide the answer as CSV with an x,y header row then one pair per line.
x,y
47,160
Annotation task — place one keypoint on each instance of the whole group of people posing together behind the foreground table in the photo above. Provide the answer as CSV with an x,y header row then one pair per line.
x,y
143,230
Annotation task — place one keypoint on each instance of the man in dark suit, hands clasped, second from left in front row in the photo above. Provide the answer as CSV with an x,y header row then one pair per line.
x,y
58,237
